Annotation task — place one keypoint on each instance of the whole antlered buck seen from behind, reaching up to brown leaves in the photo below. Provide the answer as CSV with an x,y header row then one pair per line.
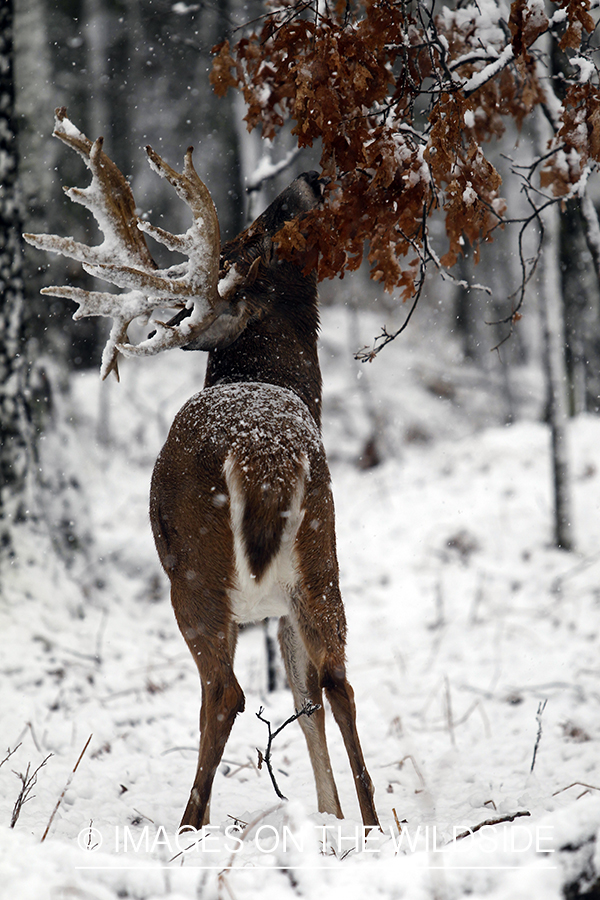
x,y
241,505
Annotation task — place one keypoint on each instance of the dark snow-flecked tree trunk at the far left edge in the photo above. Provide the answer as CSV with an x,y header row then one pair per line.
x,y
14,413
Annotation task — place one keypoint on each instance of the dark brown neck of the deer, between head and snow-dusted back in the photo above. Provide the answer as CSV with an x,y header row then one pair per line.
x,y
279,350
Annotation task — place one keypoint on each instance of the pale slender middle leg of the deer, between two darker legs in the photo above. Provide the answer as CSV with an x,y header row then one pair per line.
x,y
304,682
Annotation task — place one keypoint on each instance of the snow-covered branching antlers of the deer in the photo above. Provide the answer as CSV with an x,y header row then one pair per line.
x,y
123,258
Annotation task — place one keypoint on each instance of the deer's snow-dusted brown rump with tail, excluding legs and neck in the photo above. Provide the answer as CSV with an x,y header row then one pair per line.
x,y
249,507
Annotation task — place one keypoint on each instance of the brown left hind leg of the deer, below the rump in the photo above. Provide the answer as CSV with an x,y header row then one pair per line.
x,y
222,700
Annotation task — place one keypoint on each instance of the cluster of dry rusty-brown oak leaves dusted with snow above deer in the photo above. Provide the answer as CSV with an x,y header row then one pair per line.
x,y
404,102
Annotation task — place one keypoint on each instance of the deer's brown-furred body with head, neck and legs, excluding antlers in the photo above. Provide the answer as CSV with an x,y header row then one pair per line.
x,y
248,450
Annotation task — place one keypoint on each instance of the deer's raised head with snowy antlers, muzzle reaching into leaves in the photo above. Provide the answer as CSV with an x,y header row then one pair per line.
x,y
215,300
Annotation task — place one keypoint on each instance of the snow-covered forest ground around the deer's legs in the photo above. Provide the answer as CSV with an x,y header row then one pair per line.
x,y
463,622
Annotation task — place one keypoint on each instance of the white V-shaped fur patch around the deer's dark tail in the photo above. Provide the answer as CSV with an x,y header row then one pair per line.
x,y
253,600
